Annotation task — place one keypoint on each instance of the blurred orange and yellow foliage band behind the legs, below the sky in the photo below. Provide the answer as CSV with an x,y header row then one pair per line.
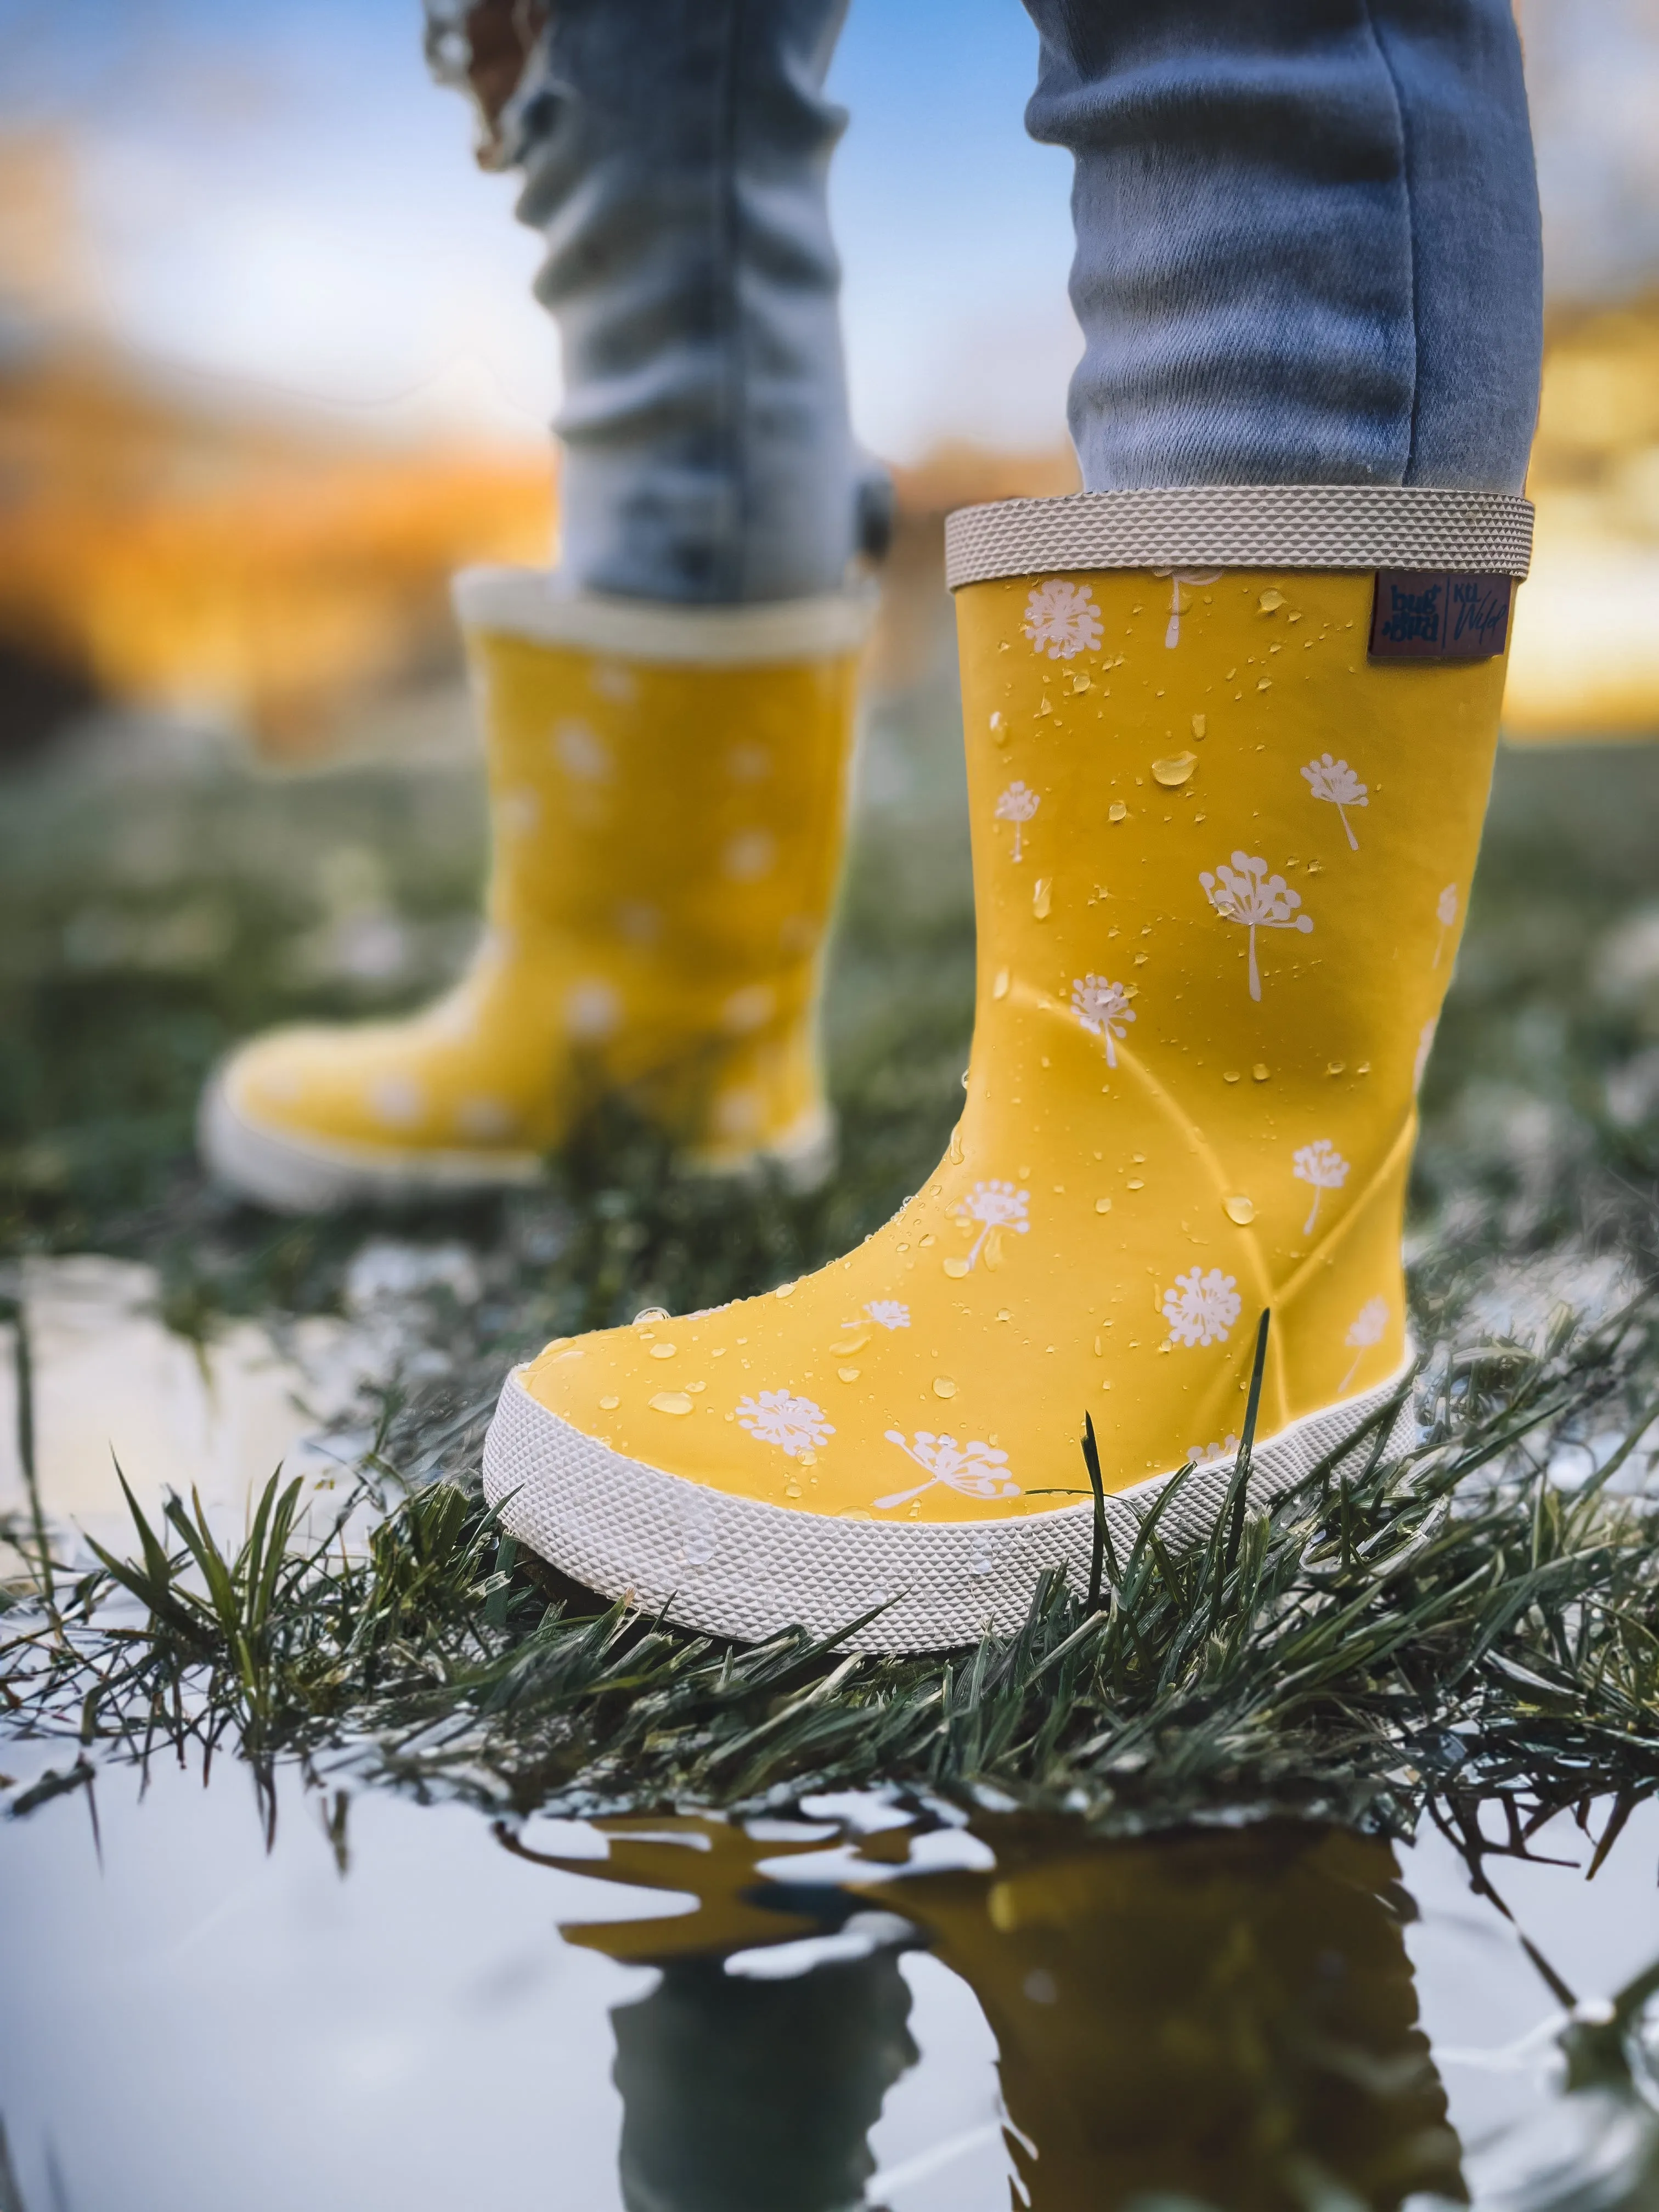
x,y
178,545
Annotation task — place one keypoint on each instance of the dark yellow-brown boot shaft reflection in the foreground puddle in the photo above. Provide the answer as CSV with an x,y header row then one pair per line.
x,y
1213,2016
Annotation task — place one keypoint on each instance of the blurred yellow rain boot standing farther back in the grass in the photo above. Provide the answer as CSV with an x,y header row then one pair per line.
x,y
667,800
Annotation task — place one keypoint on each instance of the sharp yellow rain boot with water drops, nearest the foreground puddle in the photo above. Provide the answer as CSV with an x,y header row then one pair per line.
x,y
1229,760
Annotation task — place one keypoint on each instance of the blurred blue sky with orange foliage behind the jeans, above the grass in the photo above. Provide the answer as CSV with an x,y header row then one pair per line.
x,y
271,368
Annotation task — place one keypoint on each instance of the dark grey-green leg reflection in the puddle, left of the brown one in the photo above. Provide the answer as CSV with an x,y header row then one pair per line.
x,y
753,2096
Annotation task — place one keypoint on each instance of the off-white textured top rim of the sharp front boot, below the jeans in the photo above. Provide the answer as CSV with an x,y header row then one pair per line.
x,y
1242,528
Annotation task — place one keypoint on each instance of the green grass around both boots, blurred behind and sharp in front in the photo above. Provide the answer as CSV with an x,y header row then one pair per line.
x,y
1448,1627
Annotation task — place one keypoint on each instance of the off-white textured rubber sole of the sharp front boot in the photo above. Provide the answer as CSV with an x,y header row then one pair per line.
x,y
744,1569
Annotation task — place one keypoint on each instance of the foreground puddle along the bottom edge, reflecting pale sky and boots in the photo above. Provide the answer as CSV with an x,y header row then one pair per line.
x,y
682,2016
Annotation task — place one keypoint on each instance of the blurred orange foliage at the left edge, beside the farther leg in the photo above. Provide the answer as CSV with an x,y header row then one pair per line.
x,y
185,552
